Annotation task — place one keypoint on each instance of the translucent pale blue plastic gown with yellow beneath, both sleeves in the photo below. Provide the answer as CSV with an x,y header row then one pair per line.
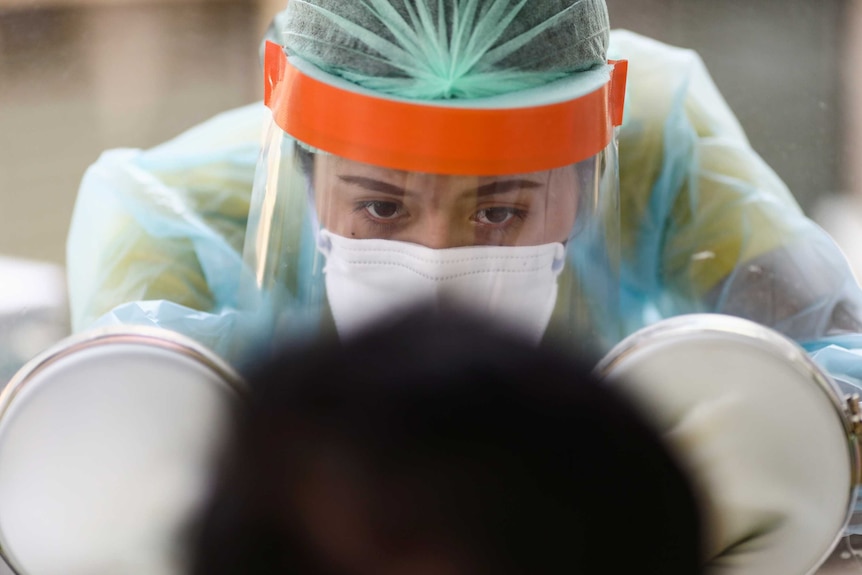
x,y
707,226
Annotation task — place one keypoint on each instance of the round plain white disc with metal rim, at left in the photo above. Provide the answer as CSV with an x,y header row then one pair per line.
x,y
106,447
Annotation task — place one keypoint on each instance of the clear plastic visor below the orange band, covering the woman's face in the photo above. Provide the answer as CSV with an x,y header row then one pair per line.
x,y
334,244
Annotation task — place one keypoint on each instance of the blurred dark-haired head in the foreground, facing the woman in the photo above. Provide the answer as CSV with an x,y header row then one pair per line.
x,y
443,447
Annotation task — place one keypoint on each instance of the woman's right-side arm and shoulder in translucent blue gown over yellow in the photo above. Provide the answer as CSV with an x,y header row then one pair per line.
x,y
708,226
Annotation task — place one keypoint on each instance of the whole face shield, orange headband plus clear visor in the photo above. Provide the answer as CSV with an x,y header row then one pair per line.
x,y
366,205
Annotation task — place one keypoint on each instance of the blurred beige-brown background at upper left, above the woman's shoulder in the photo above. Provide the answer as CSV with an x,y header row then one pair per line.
x,y
79,77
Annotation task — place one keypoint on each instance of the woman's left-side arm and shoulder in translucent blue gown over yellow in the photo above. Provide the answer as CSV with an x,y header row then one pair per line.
x,y
156,236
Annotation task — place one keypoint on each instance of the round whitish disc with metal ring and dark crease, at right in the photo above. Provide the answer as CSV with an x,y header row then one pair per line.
x,y
763,431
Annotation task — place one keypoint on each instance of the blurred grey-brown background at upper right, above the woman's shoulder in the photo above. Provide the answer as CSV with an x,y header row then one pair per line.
x,y
779,63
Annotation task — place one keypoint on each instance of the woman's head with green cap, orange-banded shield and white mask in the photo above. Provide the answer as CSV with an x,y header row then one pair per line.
x,y
429,127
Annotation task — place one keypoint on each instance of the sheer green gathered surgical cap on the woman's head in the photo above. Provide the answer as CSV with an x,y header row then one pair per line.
x,y
441,49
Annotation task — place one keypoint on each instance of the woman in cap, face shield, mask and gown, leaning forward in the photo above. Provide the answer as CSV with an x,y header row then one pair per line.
x,y
481,152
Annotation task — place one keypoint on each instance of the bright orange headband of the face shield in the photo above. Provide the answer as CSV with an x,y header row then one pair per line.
x,y
424,137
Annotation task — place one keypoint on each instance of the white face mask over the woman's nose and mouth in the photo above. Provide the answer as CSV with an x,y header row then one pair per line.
x,y
375,279
